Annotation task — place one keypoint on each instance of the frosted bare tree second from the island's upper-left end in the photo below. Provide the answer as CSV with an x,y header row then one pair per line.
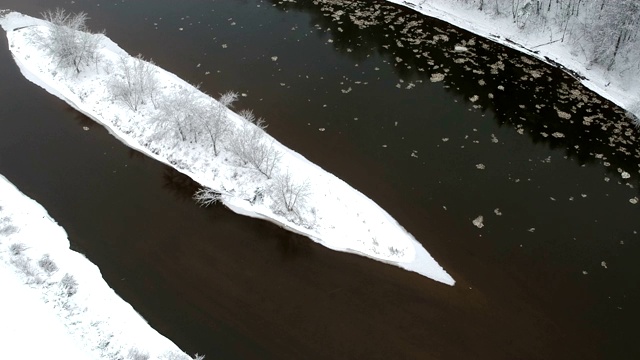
x,y
135,82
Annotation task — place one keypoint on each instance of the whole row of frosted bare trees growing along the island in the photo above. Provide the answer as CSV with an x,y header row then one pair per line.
x,y
185,115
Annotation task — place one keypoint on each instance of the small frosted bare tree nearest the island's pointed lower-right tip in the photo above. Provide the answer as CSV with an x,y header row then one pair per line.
x,y
288,195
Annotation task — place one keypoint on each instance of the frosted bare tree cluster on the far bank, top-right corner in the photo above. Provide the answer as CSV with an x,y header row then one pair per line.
x,y
605,31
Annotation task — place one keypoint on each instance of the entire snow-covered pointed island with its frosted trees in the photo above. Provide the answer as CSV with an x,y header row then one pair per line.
x,y
238,163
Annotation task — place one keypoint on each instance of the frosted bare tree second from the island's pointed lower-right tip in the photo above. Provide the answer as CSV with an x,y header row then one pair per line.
x,y
252,148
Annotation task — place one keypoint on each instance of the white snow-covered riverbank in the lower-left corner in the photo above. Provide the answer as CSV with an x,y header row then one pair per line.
x,y
37,319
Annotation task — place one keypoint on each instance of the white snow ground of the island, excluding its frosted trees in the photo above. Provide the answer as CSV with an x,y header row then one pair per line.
x,y
337,216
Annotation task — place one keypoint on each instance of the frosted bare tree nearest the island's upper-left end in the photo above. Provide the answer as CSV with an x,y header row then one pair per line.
x,y
68,40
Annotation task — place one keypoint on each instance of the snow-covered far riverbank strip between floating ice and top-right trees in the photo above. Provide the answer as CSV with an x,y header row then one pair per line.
x,y
544,45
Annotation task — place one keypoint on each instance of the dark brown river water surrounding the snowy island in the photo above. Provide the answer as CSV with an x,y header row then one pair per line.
x,y
553,169
